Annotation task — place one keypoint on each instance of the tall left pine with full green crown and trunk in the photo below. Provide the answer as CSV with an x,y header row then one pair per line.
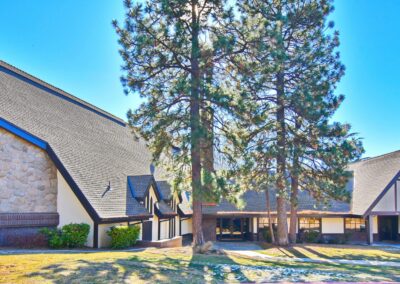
x,y
174,52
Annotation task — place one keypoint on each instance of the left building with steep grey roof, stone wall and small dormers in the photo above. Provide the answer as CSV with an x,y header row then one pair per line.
x,y
65,161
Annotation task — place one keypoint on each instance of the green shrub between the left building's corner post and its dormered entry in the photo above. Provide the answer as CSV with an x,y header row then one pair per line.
x,y
123,236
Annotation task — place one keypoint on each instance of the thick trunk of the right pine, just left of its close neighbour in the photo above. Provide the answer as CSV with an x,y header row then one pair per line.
x,y
282,236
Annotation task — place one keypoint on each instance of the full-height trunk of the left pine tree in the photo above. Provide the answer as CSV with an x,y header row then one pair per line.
x,y
198,238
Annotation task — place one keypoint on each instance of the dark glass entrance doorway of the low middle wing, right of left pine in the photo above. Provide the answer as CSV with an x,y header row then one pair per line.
x,y
232,229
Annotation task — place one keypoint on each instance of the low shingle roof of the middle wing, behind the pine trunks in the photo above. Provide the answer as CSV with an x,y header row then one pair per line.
x,y
255,203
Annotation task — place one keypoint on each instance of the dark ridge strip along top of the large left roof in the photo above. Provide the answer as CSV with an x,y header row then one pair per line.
x,y
62,93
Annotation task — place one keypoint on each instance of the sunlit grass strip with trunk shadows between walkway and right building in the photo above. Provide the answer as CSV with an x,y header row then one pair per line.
x,y
316,251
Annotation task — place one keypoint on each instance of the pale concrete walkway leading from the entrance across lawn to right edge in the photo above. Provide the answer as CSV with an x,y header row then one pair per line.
x,y
250,250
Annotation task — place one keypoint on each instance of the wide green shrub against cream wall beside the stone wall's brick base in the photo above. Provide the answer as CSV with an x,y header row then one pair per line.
x,y
71,236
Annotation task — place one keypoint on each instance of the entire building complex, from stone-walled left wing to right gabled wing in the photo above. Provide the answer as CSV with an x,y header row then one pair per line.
x,y
63,160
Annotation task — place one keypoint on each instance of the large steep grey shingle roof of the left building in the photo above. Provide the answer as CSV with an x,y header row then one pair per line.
x,y
94,147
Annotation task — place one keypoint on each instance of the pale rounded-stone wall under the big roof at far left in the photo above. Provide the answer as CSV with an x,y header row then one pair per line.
x,y
28,178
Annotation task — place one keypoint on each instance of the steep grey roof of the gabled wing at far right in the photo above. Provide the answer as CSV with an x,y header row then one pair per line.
x,y
371,176
